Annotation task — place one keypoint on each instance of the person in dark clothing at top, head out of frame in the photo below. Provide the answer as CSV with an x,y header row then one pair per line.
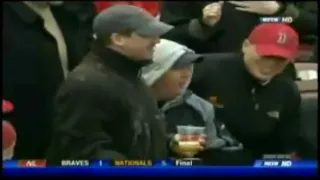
x,y
237,20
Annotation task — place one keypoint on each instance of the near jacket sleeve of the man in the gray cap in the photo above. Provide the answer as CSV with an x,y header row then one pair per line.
x,y
83,109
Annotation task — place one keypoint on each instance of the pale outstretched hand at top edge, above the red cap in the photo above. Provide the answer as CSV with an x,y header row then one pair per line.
x,y
259,7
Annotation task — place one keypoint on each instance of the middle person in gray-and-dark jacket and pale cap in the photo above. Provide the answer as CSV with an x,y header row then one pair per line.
x,y
169,76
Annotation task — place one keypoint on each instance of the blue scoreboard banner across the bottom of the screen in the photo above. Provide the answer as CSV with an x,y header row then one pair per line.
x,y
130,168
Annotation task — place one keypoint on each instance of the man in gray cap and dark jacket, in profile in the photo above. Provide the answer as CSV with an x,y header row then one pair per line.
x,y
104,111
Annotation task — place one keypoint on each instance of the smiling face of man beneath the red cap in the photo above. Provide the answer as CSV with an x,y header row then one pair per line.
x,y
262,67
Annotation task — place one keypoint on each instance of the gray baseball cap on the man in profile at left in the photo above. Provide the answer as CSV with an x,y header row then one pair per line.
x,y
119,18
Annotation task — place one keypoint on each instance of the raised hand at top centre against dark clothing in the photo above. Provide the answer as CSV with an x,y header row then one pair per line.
x,y
212,13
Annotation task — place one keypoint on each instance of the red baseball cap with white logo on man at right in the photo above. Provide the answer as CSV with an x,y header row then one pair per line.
x,y
275,39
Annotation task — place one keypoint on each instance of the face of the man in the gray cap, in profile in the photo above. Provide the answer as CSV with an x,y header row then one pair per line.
x,y
138,47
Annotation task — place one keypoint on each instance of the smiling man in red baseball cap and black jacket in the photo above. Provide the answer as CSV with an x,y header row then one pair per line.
x,y
258,104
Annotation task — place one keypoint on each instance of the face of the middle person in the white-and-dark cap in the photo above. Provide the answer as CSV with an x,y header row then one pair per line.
x,y
173,83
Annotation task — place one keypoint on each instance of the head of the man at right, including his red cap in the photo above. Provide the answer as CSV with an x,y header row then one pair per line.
x,y
273,46
